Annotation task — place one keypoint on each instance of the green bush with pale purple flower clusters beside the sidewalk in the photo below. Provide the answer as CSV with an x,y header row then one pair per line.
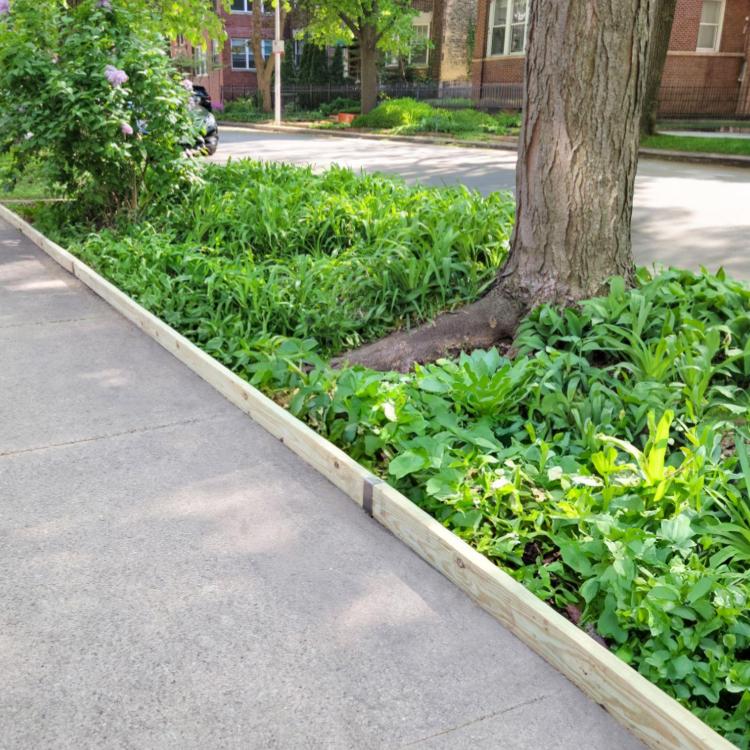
x,y
91,88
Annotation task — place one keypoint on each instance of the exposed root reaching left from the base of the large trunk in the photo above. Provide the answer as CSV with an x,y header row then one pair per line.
x,y
479,325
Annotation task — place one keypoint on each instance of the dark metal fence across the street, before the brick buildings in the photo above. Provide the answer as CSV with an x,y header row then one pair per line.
x,y
674,101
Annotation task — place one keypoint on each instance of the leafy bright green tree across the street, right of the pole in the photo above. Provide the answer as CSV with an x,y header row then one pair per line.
x,y
376,26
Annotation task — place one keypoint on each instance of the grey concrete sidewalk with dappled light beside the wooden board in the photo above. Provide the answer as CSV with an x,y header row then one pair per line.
x,y
173,577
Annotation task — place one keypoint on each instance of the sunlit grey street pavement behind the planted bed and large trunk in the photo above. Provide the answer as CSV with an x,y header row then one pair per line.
x,y
687,215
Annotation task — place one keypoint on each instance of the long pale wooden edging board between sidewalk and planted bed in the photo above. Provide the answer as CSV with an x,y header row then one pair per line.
x,y
648,712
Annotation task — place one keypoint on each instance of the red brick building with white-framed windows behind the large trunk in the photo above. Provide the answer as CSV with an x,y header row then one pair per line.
x,y
706,72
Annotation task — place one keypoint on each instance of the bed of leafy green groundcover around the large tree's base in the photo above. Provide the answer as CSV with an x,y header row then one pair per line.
x,y
605,465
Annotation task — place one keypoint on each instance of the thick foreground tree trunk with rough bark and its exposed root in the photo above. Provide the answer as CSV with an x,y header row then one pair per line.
x,y
585,79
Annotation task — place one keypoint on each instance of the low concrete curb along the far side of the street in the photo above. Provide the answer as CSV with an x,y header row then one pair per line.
x,y
511,144
